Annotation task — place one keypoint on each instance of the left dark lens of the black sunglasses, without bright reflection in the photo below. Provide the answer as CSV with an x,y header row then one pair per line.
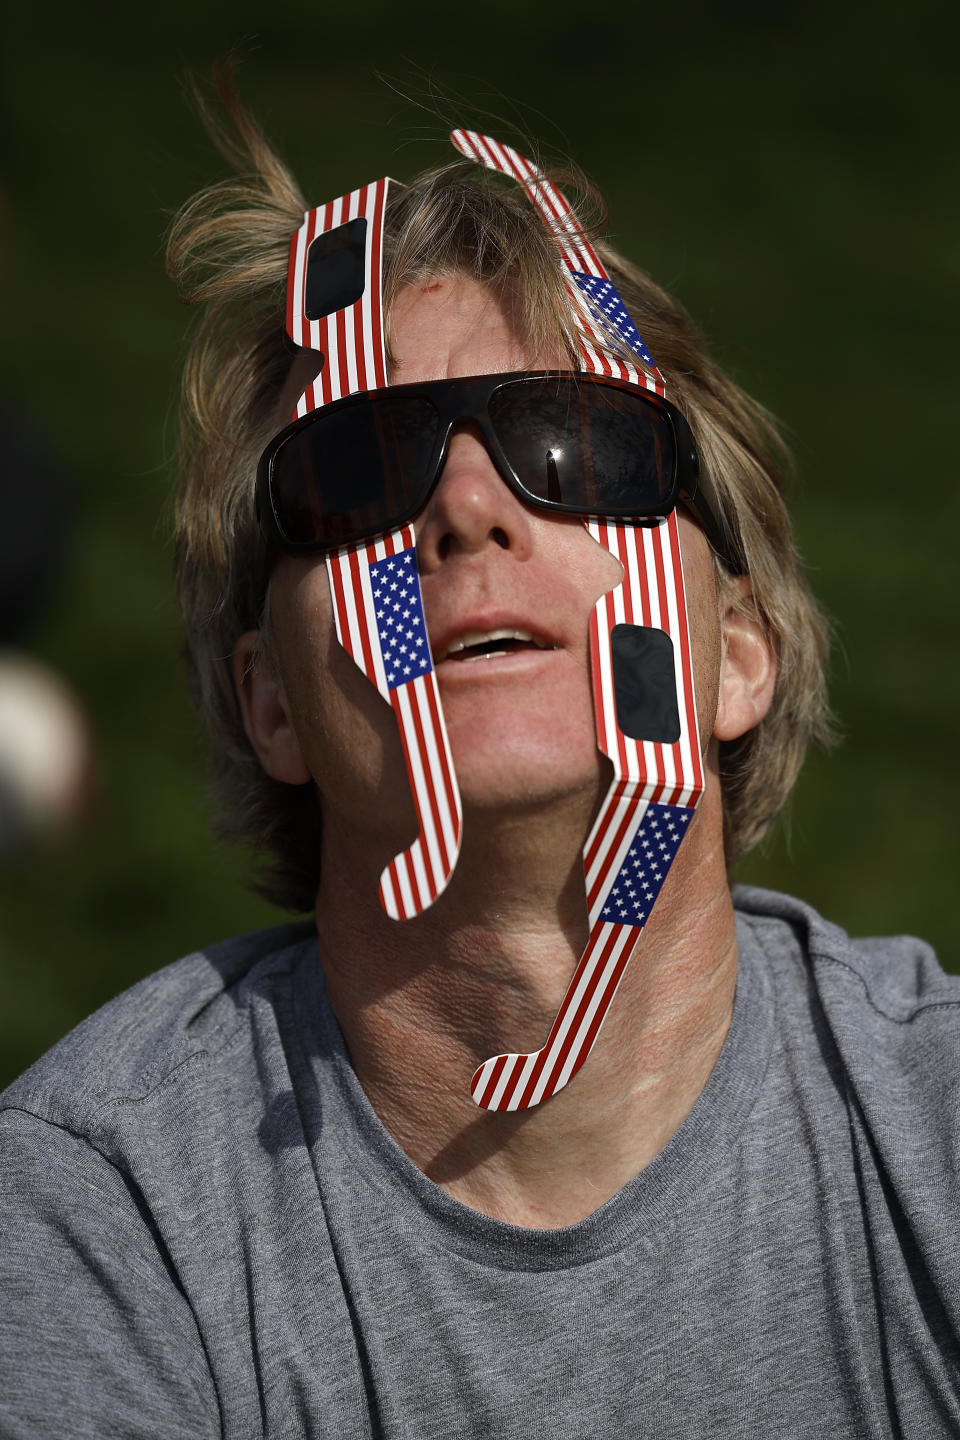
x,y
353,472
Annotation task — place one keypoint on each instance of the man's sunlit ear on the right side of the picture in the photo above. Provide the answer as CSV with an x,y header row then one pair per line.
x,y
749,666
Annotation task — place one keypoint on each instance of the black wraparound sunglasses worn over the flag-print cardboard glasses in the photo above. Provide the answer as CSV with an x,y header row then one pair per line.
x,y
562,441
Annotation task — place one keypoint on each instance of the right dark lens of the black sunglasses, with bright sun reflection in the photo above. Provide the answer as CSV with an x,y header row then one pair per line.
x,y
591,449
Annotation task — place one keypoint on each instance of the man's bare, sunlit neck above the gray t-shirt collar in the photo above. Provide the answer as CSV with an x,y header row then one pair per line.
x,y
484,971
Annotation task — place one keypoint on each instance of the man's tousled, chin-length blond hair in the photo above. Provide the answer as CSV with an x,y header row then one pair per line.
x,y
228,254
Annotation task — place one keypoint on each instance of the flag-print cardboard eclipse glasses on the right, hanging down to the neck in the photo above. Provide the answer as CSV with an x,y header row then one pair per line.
x,y
654,748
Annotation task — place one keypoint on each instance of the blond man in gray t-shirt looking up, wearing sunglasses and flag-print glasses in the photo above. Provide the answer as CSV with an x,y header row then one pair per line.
x,y
261,1194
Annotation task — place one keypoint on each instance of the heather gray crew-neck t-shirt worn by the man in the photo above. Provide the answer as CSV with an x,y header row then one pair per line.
x,y
205,1230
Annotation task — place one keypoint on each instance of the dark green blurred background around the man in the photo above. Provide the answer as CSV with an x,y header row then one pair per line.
x,y
791,172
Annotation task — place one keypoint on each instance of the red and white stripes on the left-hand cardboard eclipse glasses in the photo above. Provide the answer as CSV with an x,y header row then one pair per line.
x,y
353,346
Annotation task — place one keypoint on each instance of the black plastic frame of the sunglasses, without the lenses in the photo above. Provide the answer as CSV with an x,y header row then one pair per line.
x,y
467,398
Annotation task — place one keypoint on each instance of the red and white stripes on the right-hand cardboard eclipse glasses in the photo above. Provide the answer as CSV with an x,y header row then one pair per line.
x,y
648,775
